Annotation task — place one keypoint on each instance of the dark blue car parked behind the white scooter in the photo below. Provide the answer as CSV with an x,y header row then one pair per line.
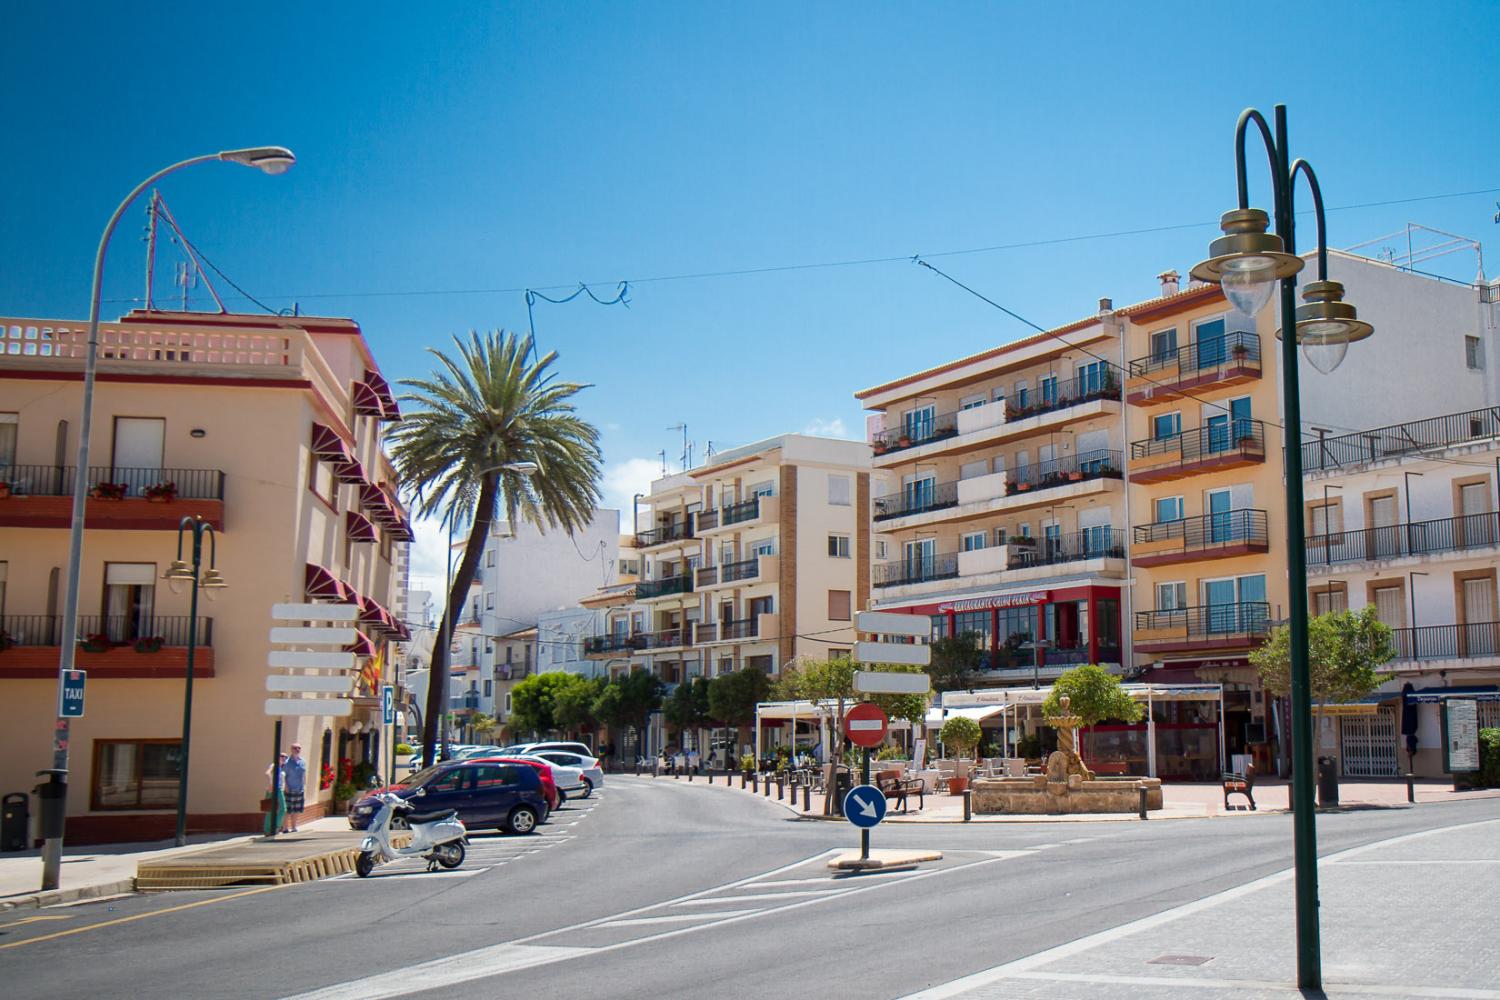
x,y
487,795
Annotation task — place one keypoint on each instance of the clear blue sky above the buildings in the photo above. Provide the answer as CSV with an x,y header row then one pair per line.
x,y
461,148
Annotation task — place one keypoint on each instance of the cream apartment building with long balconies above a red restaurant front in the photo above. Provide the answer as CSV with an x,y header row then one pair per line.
x,y
1001,507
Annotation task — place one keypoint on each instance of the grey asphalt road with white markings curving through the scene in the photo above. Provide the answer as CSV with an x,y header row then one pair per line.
x,y
661,888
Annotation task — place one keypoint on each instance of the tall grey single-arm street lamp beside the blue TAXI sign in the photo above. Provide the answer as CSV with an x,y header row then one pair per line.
x,y
271,160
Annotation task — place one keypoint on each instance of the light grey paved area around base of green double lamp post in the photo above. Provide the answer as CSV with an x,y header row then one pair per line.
x,y
1411,917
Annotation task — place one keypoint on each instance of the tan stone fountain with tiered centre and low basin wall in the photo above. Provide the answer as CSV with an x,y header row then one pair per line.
x,y
1066,783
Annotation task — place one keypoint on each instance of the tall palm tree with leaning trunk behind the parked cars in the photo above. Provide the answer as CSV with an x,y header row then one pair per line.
x,y
466,449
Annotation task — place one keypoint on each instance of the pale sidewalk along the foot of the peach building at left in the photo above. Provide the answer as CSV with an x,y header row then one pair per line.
x,y
104,870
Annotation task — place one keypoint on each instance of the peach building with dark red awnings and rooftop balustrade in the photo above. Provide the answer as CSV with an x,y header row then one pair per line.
x,y
268,428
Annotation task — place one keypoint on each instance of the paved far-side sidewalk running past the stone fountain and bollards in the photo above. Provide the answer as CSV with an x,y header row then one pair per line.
x,y
1181,801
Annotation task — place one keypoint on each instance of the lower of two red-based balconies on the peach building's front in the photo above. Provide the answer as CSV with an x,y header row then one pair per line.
x,y
109,647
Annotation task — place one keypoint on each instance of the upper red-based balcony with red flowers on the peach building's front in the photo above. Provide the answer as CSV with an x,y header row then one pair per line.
x,y
119,499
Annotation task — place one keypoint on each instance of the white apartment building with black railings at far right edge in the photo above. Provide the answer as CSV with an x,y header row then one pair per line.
x,y
1403,518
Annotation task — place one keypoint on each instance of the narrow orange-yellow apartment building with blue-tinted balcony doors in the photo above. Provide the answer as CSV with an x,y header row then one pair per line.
x,y
1208,531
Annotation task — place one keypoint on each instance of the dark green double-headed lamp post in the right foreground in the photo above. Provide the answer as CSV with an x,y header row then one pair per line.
x,y
1247,262
